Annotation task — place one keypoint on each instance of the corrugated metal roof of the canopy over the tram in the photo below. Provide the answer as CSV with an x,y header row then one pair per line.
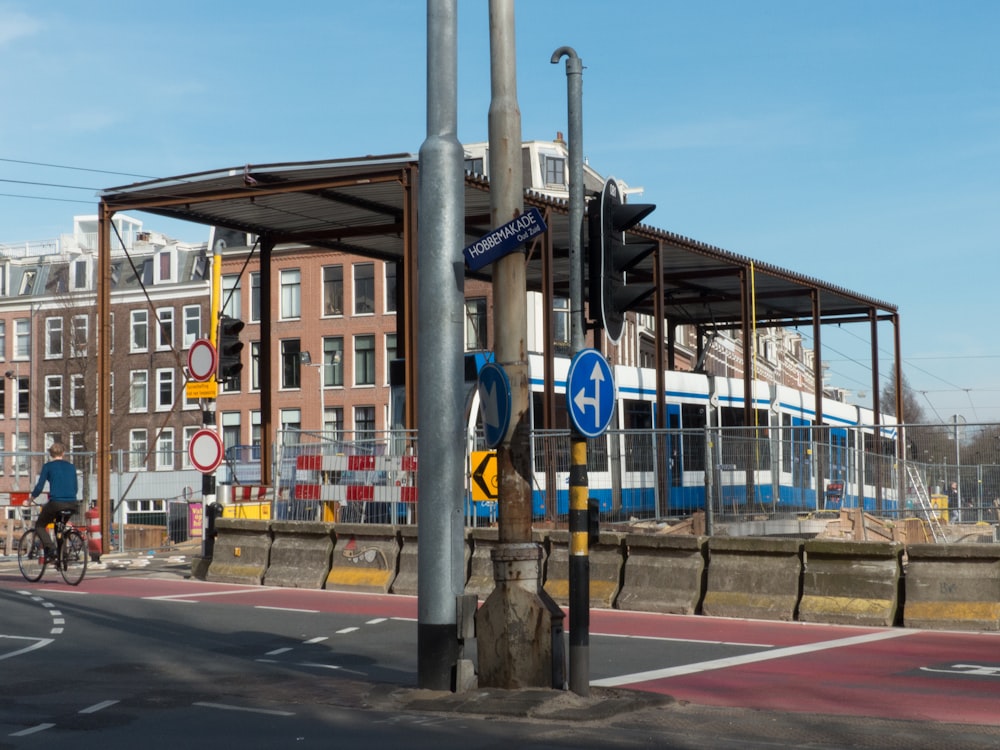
x,y
359,206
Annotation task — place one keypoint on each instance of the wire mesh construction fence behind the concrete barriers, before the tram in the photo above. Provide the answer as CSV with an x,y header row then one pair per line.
x,y
730,473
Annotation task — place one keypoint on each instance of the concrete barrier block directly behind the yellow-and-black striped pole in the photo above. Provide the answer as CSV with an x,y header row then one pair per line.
x,y
606,559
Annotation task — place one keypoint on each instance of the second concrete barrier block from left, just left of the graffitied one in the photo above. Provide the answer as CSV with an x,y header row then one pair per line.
x,y
300,554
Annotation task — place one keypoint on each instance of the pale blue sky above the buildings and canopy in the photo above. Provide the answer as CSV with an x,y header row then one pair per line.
x,y
854,142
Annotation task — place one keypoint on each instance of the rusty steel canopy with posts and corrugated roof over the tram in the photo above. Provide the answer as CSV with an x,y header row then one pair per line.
x,y
368,206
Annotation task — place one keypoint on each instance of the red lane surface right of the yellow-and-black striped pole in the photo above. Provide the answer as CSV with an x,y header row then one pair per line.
x,y
881,673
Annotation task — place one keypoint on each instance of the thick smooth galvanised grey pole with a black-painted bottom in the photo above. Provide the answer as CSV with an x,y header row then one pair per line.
x,y
440,404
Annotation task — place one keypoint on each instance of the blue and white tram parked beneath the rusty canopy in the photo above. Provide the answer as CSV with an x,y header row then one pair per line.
x,y
780,463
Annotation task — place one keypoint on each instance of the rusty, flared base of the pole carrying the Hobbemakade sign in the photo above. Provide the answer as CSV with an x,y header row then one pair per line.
x,y
519,628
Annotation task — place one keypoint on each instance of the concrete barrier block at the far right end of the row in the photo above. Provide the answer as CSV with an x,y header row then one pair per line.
x,y
952,587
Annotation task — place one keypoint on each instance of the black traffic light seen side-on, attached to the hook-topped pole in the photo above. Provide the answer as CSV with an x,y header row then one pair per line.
x,y
611,257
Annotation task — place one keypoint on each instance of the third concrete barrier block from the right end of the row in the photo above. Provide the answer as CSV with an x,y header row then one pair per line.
x,y
756,578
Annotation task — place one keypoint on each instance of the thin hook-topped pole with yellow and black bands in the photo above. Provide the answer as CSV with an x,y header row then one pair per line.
x,y
579,558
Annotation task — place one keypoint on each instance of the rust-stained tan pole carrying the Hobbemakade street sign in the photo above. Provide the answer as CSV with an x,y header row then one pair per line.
x,y
519,627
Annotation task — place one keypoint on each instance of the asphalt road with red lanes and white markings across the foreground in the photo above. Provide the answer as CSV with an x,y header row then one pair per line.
x,y
140,656
